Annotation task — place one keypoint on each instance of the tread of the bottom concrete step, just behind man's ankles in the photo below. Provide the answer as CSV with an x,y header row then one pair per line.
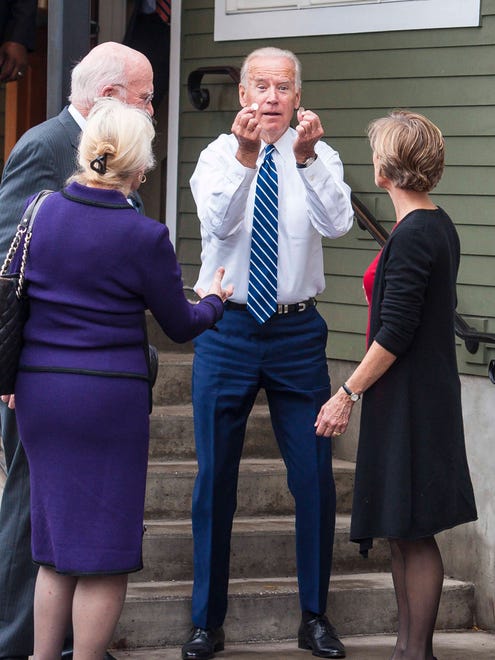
x,y
242,587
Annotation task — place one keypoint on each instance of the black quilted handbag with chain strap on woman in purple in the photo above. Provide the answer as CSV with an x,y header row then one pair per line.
x,y
14,304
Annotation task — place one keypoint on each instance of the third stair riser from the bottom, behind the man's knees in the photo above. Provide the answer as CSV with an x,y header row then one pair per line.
x,y
259,494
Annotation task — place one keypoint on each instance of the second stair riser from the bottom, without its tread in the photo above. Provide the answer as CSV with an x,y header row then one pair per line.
x,y
169,557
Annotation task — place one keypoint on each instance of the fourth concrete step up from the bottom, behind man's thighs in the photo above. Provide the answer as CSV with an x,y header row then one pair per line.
x,y
172,433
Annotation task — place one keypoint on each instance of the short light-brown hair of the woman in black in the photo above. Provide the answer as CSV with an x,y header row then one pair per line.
x,y
410,150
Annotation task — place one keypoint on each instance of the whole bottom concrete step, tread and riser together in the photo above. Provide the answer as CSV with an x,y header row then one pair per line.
x,y
158,613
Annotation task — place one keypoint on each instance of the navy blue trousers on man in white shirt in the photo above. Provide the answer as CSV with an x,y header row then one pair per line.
x,y
286,357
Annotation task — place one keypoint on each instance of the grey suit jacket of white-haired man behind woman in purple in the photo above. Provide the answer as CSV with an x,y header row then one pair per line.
x,y
43,158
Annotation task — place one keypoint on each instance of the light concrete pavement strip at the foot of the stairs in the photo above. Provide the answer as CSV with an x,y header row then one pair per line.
x,y
458,645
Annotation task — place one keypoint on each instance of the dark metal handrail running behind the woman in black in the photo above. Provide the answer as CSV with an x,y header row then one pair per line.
x,y
469,335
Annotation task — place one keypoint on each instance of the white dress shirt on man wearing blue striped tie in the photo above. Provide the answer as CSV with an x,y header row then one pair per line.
x,y
312,202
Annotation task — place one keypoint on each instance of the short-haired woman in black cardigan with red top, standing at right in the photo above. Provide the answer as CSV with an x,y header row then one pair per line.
x,y
412,476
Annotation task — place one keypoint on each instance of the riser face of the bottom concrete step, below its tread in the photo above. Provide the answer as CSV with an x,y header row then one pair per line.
x,y
266,617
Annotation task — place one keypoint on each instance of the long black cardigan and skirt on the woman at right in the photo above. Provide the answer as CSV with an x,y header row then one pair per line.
x,y
412,478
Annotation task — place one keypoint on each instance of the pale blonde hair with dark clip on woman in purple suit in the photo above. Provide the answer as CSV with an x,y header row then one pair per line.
x,y
120,136
